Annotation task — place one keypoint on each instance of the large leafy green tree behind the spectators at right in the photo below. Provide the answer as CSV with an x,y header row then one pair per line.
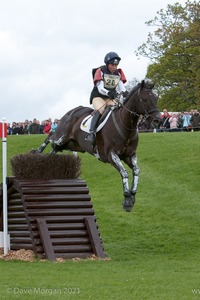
x,y
174,53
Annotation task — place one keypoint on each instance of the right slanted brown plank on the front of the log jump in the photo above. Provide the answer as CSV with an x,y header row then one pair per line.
x,y
94,237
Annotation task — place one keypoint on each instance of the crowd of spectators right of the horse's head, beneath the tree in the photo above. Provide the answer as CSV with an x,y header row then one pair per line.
x,y
174,121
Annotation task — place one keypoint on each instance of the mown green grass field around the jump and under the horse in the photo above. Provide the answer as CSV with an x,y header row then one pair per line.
x,y
154,251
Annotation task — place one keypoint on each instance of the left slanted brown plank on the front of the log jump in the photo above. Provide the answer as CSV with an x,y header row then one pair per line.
x,y
45,238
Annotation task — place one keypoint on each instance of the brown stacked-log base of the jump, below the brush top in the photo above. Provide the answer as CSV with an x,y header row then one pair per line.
x,y
54,218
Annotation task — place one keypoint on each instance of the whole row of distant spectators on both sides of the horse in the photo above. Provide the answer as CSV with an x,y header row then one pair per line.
x,y
171,121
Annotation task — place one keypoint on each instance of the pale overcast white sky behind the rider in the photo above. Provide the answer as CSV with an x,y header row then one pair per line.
x,y
49,47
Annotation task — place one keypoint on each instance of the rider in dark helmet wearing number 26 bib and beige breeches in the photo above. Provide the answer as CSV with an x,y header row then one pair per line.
x,y
107,80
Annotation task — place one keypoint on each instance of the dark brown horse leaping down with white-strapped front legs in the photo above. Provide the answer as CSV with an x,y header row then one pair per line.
x,y
116,141
